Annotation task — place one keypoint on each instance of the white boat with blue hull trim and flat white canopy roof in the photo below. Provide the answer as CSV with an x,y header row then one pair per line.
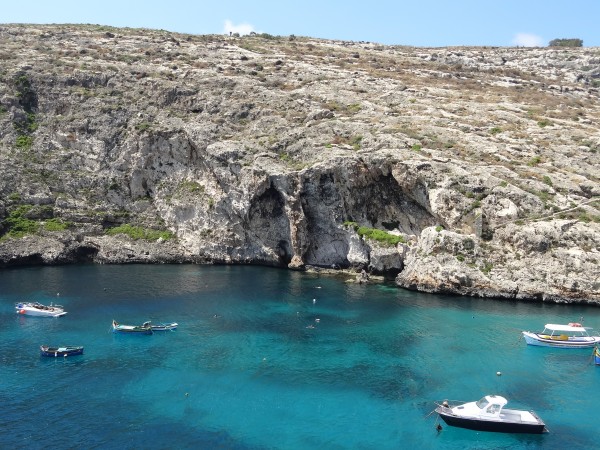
x,y
573,335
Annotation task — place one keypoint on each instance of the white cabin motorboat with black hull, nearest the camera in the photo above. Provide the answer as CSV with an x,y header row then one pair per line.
x,y
489,414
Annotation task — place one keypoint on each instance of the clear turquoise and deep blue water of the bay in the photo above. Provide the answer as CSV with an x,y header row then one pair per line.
x,y
250,367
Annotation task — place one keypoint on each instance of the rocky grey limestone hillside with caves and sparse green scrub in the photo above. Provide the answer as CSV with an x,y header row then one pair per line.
x,y
459,170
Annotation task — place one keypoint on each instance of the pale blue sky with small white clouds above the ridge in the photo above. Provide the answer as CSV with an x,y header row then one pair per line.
x,y
419,23
